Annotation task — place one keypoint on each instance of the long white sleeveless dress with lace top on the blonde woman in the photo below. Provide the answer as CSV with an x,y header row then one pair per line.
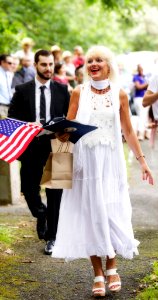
x,y
95,215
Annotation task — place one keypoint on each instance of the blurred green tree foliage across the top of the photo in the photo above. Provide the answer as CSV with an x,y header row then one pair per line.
x,y
69,23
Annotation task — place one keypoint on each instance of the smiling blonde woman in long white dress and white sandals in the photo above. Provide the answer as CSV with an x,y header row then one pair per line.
x,y
95,215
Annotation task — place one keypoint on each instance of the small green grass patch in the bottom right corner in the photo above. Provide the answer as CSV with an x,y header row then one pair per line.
x,y
150,284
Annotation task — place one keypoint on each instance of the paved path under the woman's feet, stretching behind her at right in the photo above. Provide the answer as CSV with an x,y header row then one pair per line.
x,y
49,279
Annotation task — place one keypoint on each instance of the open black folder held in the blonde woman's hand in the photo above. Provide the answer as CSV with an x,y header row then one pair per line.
x,y
61,125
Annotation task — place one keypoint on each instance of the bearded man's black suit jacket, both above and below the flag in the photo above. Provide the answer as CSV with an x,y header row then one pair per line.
x,y
22,107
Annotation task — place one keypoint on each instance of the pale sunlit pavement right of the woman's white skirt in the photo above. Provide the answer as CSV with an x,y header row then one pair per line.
x,y
144,197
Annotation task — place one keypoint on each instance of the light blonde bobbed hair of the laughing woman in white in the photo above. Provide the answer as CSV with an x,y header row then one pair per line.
x,y
106,54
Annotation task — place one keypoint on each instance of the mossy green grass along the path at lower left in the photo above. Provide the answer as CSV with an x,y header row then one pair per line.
x,y
12,233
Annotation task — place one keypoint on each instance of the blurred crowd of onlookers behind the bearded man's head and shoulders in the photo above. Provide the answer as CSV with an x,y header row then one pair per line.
x,y
18,68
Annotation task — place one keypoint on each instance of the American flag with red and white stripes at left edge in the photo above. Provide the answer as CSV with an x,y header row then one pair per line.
x,y
15,136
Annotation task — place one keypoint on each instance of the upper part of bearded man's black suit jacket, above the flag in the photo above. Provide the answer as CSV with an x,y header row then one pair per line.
x,y
22,106
